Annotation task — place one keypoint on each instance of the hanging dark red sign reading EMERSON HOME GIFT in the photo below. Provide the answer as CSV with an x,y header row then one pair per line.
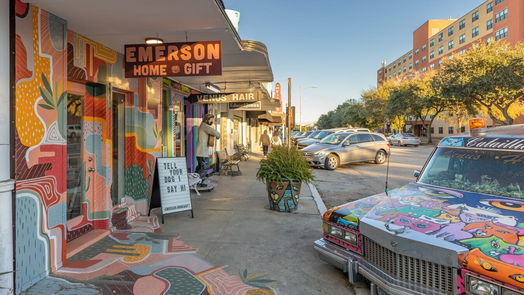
x,y
173,59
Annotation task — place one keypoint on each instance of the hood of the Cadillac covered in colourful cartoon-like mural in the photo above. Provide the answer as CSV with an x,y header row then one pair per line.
x,y
489,229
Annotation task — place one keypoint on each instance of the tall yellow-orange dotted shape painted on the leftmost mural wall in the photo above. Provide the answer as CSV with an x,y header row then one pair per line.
x,y
28,125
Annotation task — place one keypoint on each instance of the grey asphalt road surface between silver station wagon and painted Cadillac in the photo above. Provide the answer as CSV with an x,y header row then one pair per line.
x,y
356,181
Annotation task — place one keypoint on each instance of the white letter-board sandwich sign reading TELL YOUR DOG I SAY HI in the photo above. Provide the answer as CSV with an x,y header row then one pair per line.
x,y
171,186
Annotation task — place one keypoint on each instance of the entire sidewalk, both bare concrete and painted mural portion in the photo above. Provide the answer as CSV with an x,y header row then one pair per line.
x,y
257,251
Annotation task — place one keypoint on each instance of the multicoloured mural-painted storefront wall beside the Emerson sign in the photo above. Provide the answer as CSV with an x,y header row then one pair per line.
x,y
49,59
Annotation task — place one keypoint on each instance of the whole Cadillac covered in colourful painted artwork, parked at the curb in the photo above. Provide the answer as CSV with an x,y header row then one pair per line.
x,y
458,229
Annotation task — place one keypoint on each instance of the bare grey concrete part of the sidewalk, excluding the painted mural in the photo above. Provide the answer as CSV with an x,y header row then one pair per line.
x,y
233,226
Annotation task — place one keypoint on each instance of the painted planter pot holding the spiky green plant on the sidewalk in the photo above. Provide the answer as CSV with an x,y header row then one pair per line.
x,y
283,195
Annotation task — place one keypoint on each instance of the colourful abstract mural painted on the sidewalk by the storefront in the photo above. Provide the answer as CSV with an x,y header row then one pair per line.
x,y
148,263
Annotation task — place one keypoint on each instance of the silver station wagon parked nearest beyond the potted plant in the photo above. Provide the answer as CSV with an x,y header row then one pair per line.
x,y
347,147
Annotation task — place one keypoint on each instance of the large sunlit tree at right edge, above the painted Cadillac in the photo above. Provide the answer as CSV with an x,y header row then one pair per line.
x,y
487,76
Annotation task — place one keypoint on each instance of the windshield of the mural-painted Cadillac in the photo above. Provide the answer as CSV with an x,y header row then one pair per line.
x,y
490,172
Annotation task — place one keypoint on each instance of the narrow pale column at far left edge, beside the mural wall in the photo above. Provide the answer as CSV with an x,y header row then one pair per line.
x,y
6,183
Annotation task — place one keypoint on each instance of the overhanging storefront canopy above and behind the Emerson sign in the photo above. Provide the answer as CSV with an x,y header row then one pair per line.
x,y
118,22
